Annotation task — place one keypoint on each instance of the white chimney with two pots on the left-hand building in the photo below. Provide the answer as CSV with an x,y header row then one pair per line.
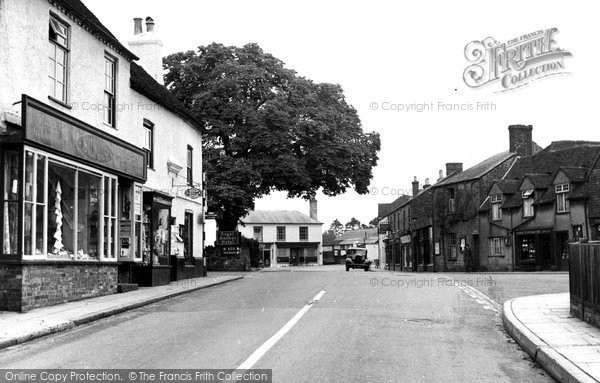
x,y
148,47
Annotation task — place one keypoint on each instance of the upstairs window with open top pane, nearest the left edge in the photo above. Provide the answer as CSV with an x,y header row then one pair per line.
x,y
58,34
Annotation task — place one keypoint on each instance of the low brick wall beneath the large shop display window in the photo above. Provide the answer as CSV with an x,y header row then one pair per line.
x,y
47,284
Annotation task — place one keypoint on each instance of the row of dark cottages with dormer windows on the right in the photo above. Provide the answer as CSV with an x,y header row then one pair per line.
x,y
517,210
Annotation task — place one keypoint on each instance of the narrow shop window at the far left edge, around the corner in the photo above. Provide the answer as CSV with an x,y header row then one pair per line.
x,y
10,209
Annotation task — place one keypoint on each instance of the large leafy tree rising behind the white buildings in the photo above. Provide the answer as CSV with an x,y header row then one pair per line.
x,y
266,128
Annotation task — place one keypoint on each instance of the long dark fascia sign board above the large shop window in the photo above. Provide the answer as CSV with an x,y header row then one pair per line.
x,y
53,129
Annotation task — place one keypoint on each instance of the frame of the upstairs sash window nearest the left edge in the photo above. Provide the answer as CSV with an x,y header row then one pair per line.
x,y
66,49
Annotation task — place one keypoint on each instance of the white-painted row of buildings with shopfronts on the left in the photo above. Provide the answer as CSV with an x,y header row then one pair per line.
x,y
97,160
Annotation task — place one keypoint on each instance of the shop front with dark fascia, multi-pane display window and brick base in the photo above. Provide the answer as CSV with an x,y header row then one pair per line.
x,y
62,208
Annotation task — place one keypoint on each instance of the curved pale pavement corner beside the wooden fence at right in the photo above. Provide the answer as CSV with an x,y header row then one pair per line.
x,y
566,347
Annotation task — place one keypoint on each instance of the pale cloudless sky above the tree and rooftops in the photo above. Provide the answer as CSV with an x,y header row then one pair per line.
x,y
391,55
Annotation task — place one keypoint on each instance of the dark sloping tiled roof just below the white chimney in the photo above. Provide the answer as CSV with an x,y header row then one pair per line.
x,y
143,83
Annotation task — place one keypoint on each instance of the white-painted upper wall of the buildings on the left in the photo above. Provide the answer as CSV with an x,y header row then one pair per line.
x,y
24,70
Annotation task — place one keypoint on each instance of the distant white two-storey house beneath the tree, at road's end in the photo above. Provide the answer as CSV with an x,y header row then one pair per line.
x,y
285,237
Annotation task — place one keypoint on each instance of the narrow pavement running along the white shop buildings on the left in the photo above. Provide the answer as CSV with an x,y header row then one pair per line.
x,y
16,328
